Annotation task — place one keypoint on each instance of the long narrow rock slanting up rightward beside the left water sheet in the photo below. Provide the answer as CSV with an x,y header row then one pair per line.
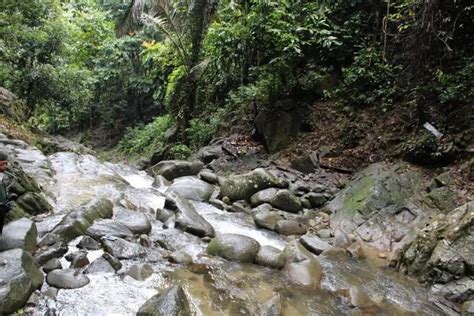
x,y
77,222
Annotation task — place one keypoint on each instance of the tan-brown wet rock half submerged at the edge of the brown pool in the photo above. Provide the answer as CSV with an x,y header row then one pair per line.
x,y
302,268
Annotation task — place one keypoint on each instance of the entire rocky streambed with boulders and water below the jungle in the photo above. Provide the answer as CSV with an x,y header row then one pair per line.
x,y
183,239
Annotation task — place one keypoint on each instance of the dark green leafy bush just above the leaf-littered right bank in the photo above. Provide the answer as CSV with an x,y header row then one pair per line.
x,y
370,80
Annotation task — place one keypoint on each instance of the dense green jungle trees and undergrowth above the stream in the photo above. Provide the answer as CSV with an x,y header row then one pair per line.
x,y
169,75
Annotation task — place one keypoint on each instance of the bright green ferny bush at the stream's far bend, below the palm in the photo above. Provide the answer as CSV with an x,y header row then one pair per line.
x,y
146,139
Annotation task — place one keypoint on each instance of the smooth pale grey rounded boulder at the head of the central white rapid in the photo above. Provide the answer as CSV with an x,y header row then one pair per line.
x,y
191,188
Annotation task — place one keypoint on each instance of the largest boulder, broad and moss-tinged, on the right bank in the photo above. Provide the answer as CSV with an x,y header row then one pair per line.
x,y
377,205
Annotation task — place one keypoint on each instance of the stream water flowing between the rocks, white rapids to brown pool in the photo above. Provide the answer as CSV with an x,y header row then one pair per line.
x,y
214,286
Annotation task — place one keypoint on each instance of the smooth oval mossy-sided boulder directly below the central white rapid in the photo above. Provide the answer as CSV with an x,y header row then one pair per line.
x,y
234,247
